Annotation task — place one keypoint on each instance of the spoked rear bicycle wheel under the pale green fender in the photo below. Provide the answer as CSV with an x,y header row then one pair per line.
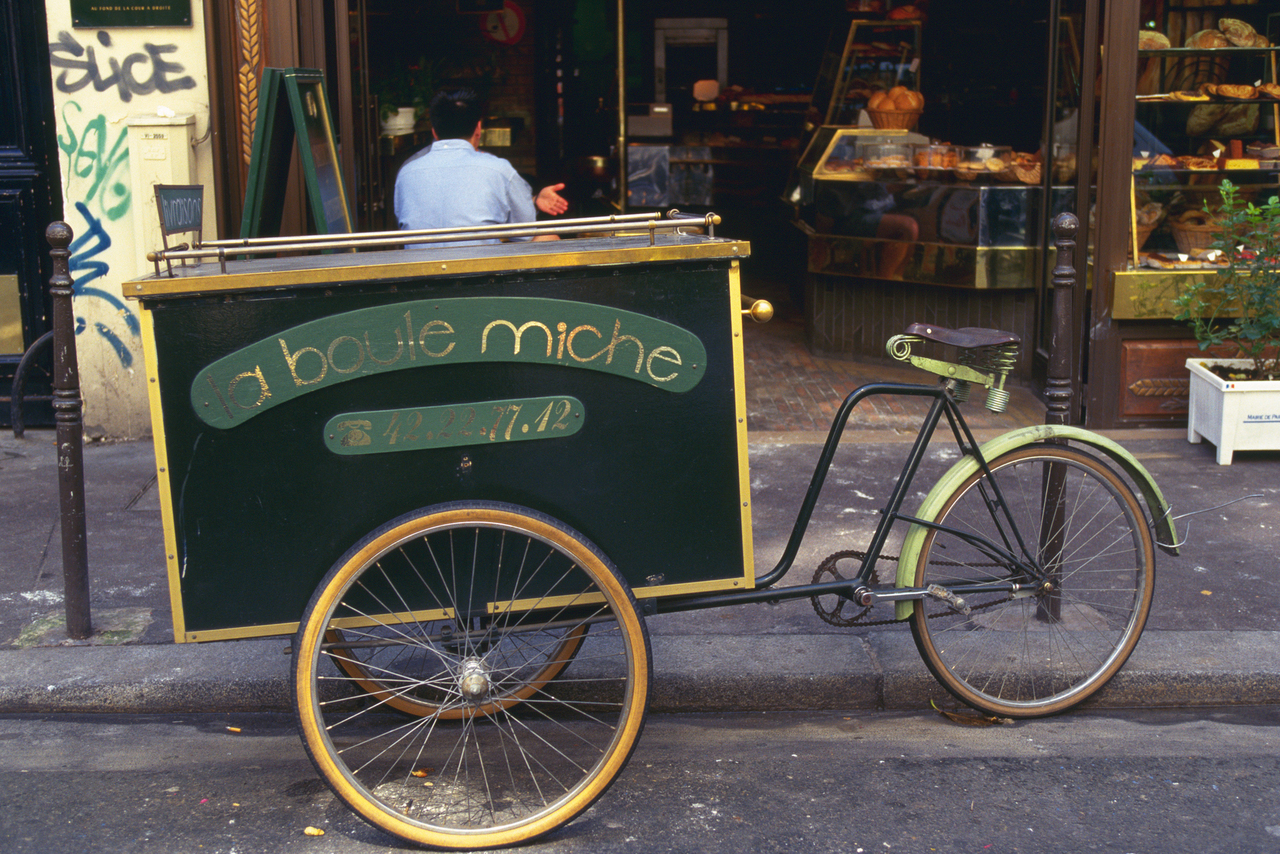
x,y
1085,583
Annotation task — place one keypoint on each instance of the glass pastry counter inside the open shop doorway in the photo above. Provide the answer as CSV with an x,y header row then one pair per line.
x,y
894,205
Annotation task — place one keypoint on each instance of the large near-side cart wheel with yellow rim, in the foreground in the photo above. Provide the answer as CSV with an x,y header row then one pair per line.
x,y
465,616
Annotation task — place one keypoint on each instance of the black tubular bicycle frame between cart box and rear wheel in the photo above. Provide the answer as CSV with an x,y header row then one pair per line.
x,y
944,405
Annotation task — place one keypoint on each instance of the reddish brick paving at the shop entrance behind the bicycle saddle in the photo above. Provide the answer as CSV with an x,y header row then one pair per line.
x,y
789,389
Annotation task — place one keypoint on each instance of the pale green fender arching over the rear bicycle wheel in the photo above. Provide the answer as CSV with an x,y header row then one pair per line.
x,y
932,505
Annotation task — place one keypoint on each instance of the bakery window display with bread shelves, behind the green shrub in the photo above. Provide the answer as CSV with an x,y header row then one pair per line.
x,y
1186,135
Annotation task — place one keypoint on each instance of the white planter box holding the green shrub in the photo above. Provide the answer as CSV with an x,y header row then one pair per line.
x,y
1233,415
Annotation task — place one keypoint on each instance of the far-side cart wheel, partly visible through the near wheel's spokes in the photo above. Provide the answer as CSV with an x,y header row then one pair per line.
x,y
531,660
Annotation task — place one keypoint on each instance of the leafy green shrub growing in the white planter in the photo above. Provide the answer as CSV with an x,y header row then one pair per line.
x,y
1241,305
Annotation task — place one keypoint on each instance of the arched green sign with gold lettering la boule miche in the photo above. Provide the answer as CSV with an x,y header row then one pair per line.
x,y
435,332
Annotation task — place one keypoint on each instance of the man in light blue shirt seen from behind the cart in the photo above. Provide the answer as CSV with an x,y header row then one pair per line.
x,y
454,184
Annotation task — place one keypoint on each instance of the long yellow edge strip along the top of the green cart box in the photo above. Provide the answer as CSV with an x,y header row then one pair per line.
x,y
339,276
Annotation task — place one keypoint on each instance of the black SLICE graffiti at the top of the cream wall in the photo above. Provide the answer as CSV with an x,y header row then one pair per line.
x,y
138,74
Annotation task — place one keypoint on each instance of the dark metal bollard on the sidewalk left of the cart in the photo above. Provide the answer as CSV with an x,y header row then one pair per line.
x,y
70,421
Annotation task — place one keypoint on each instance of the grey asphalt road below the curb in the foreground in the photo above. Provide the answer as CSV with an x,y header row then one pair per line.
x,y
1171,782
